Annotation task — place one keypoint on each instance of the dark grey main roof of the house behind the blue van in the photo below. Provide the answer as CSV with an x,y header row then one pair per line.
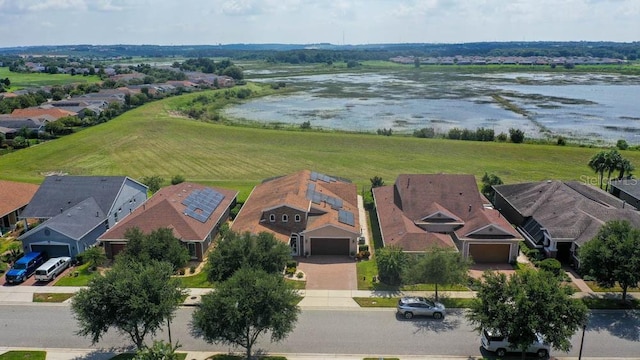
x,y
59,193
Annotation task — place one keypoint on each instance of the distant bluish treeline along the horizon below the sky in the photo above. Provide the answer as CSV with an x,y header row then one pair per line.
x,y
323,53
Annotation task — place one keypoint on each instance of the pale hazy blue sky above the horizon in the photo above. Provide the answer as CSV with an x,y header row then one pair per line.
x,y
209,22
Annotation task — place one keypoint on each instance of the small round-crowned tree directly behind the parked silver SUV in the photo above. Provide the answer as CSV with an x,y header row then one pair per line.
x,y
438,266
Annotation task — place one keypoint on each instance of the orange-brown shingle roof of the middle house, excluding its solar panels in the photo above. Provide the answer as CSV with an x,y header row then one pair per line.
x,y
291,191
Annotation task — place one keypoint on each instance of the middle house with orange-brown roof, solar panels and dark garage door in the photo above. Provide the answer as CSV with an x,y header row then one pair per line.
x,y
314,213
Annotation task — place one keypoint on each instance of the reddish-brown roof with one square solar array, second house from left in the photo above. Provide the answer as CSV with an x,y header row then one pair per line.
x,y
165,210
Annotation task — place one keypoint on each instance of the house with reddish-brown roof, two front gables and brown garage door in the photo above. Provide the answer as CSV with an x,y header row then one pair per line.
x,y
420,211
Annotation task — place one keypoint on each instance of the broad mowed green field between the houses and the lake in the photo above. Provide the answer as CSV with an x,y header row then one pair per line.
x,y
150,141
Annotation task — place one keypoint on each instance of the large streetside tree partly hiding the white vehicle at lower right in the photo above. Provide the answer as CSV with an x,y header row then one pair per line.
x,y
525,304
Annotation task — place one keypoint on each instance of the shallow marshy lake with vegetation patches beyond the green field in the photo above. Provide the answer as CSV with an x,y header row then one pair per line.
x,y
590,108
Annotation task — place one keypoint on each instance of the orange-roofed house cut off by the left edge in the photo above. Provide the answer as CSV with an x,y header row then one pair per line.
x,y
14,197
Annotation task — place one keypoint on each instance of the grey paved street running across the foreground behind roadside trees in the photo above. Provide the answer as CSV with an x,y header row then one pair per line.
x,y
324,331
